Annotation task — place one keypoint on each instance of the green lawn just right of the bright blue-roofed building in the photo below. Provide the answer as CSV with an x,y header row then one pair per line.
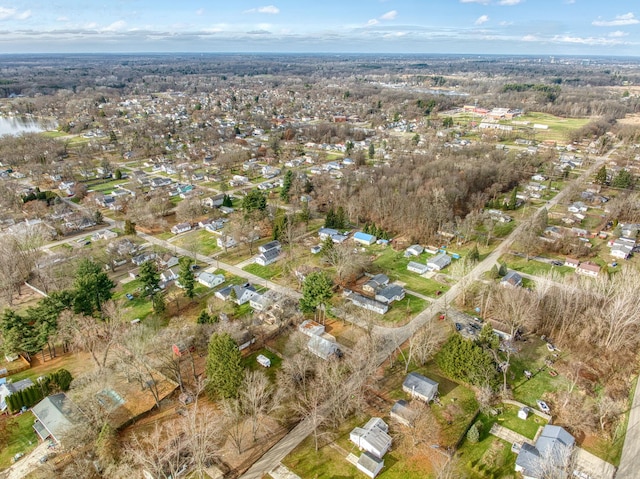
x,y
394,264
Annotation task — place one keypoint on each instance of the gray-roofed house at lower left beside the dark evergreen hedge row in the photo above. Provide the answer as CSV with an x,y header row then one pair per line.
x,y
55,415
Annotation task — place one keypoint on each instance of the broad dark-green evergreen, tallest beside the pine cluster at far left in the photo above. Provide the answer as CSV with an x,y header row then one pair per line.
x,y
91,288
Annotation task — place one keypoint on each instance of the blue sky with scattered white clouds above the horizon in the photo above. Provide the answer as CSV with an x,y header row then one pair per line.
x,y
553,27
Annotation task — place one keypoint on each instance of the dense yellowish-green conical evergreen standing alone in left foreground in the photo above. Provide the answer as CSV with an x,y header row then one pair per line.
x,y
224,367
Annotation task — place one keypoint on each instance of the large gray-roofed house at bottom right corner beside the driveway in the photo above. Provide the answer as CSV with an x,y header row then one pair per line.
x,y
552,445
